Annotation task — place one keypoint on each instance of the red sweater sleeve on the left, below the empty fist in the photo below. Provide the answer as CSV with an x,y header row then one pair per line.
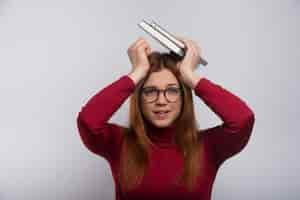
x,y
99,136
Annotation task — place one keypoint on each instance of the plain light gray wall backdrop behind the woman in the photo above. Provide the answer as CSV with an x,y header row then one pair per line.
x,y
55,55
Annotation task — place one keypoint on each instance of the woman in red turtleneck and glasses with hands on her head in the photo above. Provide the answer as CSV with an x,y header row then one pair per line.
x,y
163,154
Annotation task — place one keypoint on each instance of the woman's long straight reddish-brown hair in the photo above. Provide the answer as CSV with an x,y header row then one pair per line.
x,y
136,147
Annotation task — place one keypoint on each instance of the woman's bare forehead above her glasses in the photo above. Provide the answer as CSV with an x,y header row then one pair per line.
x,y
161,79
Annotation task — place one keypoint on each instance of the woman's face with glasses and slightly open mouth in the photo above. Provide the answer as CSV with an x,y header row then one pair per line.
x,y
164,111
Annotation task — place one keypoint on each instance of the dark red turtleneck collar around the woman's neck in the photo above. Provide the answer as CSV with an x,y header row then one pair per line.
x,y
162,137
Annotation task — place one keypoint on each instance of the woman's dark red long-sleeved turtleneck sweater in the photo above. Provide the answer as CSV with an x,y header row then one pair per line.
x,y
219,142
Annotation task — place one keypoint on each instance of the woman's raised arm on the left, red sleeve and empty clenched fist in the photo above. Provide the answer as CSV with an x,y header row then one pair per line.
x,y
97,134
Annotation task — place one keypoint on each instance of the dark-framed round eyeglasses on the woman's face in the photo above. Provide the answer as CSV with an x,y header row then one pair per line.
x,y
151,94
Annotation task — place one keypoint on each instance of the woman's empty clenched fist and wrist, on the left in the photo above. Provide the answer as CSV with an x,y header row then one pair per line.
x,y
138,54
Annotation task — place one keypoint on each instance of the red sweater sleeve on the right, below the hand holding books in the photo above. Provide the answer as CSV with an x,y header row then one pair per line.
x,y
232,135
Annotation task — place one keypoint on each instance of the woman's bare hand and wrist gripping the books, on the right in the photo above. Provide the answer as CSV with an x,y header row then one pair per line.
x,y
190,61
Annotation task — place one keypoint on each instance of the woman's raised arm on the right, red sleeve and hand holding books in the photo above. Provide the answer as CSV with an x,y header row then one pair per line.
x,y
229,138
